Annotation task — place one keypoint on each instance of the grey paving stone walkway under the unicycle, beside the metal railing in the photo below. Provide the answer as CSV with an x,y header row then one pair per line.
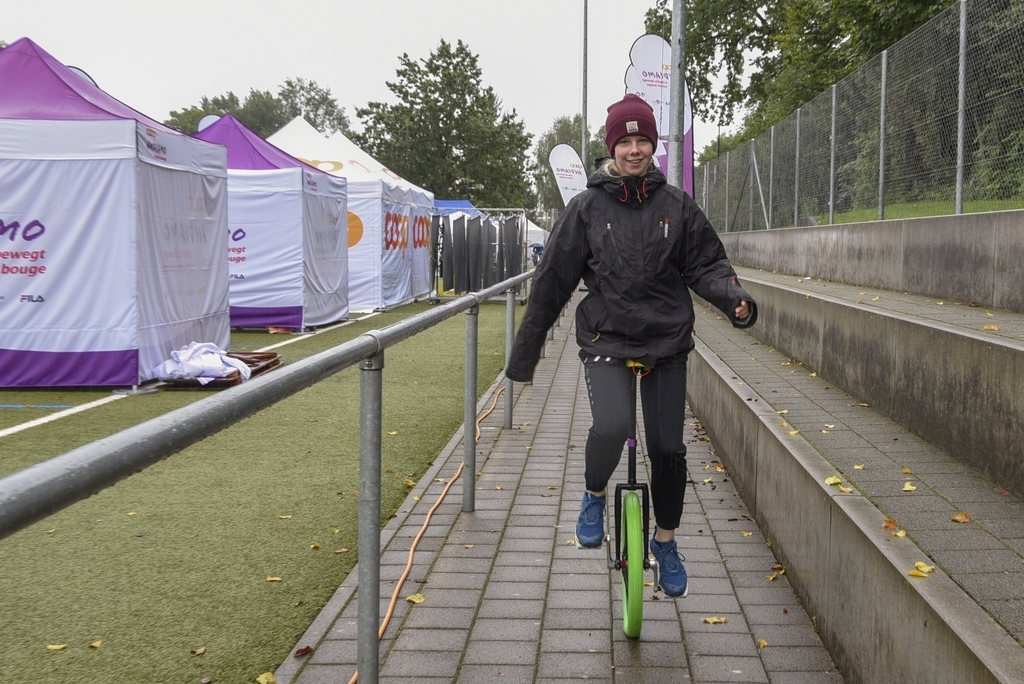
x,y
509,598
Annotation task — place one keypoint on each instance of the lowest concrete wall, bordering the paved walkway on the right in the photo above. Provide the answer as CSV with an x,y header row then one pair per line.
x,y
878,624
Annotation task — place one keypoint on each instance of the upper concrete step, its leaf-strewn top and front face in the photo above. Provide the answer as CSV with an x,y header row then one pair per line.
x,y
949,372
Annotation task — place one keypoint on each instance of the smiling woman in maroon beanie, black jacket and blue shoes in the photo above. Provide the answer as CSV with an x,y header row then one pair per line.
x,y
639,245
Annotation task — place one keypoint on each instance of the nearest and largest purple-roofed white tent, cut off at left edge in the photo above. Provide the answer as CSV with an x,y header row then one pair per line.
x,y
113,233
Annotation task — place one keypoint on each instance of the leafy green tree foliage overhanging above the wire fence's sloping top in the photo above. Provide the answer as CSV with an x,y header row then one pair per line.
x,y
797,49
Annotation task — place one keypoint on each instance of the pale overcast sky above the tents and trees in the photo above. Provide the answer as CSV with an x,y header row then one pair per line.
x,y
162,57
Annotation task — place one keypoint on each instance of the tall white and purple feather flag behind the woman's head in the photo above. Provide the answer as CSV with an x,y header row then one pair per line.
x,y
650,76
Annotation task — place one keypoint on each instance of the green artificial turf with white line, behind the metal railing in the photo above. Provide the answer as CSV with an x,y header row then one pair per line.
x,y
177,559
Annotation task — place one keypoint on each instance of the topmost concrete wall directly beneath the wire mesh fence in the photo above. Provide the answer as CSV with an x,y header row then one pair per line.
x,y
966,259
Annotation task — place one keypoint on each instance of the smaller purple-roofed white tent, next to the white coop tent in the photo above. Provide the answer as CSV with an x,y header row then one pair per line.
x,y
288,228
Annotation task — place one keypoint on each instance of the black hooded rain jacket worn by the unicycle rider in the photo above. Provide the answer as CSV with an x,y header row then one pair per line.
x,y
638,244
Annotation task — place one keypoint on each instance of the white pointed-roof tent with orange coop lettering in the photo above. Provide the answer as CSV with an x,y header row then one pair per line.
x,y
389,219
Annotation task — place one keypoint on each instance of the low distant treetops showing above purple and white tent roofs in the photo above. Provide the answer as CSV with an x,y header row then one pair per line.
x,y
265,114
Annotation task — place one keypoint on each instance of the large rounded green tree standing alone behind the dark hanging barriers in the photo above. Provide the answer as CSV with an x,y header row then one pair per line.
x,y
450,135
